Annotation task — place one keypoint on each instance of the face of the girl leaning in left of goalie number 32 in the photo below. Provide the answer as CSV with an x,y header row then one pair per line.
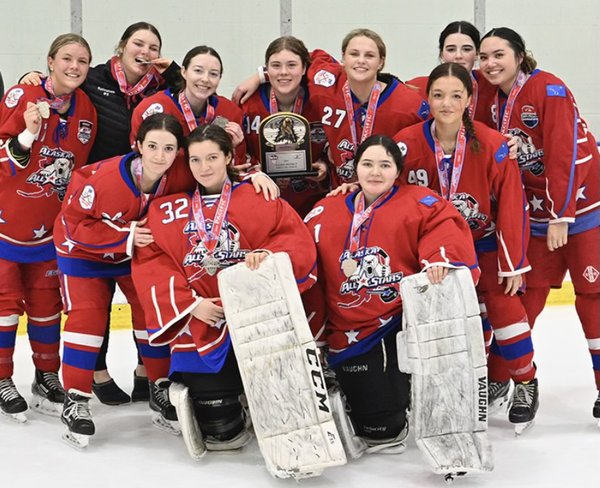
x,y
158,150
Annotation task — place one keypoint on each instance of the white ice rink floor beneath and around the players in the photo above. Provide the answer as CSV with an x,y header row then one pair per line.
x,y
562,449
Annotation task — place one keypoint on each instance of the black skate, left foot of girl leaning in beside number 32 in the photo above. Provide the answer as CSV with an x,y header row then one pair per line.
x,y
77,417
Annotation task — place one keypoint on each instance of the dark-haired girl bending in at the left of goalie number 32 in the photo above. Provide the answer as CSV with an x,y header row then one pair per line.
x,y
98,230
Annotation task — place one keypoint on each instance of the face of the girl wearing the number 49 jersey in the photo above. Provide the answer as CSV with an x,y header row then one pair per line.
x,y
448,99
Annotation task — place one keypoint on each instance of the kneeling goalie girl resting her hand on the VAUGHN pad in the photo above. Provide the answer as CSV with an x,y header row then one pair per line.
x,y
367,242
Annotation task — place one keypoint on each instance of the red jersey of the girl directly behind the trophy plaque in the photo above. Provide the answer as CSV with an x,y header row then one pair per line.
x,y
300,193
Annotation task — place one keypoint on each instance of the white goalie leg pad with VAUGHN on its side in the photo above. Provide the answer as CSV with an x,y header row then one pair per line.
x,y
442,346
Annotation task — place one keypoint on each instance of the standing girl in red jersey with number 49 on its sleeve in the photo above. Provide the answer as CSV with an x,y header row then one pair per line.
x,y
468,164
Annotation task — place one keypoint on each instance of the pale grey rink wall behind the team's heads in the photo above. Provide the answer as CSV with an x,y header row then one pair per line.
x,y
563,36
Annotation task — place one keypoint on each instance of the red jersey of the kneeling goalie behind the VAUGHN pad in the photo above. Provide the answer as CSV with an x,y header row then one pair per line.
x,y
411,228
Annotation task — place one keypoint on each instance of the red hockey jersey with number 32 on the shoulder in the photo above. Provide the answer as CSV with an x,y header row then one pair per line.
x,y
170,278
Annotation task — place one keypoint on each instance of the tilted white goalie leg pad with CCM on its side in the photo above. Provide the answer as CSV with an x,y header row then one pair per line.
x,y
280,368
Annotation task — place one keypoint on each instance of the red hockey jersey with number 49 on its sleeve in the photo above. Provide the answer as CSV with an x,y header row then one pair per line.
x,y
489,194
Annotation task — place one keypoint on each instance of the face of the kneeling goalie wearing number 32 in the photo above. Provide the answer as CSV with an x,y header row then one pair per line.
x,y
208,164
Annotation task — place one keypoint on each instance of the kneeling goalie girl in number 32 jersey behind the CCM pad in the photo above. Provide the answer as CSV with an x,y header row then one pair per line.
x,y
196,234
